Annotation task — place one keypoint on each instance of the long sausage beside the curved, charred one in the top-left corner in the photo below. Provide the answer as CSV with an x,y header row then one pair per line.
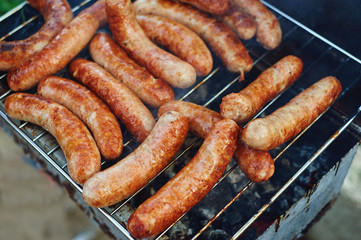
x,y
56,55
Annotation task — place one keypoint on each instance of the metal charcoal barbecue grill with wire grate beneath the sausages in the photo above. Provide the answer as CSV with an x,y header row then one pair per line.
x,y
310,168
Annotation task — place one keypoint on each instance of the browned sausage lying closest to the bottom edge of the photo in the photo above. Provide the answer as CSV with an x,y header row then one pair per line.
x,y
189,185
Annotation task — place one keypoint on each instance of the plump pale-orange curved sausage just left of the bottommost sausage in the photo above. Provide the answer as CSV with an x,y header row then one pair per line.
x,y
138,168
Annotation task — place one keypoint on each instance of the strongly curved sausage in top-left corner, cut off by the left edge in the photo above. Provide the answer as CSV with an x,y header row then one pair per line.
x,y
57,14
